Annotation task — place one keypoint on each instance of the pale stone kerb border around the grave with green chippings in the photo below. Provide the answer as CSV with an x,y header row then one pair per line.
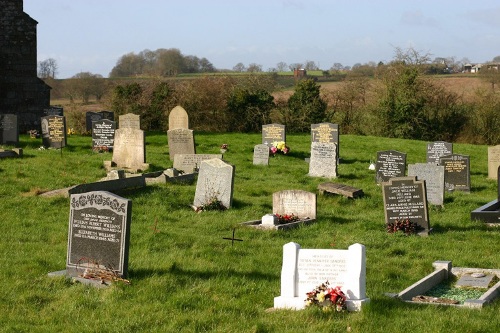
x,y
443,270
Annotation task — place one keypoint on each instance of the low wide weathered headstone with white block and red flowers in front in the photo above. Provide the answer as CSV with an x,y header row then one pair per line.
x,y
297,202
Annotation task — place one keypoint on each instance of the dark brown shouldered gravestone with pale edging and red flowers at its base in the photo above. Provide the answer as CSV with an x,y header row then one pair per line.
x,y
405,199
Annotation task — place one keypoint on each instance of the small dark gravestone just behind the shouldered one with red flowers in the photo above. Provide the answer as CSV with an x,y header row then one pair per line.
x,y
390,164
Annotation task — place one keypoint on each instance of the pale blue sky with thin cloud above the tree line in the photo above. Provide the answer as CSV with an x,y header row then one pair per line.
x,y
91,35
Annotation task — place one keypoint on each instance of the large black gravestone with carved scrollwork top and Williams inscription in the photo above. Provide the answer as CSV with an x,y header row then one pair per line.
x,y
99,233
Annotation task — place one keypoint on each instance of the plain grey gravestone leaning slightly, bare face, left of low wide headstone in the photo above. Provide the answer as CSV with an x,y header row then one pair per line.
x,y
215,182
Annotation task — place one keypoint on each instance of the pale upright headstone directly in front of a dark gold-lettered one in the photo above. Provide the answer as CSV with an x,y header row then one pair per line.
x,y
323,162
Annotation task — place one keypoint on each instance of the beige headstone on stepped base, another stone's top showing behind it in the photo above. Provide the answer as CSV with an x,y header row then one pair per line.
x,y
129,150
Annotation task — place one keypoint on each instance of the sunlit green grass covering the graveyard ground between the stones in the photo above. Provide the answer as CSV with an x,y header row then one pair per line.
x,y
186,278
